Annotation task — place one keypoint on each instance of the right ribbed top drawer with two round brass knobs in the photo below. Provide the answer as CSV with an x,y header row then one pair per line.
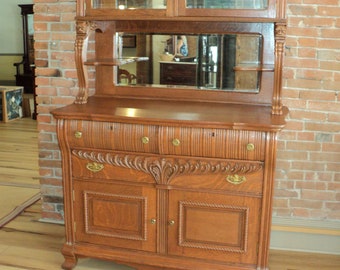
x,y
218,143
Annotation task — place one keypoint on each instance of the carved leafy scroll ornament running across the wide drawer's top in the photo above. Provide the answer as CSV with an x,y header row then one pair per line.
x,y
166,168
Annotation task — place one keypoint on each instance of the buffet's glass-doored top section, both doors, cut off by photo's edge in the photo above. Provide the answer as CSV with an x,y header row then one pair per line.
x,y
175,9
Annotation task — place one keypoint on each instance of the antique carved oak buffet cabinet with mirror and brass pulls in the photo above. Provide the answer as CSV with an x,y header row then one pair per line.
x,y
173,176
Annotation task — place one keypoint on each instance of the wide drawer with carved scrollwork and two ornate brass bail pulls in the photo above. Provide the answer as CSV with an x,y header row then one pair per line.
x,y
193,173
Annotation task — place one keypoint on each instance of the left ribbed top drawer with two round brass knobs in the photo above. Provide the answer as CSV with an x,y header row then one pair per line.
x,y
113,136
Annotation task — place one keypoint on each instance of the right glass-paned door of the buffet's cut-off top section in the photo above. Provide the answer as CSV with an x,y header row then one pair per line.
x,y
238,8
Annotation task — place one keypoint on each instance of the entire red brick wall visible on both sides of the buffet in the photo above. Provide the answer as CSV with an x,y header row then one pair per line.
x,y
308,169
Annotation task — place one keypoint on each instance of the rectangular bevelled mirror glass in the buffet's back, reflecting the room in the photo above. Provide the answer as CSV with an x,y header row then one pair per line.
x,y
229,62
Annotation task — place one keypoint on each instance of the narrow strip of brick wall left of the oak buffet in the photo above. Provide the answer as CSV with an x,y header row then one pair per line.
x,y
56,86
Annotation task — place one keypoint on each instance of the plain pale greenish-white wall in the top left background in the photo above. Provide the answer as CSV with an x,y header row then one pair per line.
x,y
11,26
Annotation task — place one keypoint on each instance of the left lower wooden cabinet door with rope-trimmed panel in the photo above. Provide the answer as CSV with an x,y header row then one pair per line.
x,y
115,215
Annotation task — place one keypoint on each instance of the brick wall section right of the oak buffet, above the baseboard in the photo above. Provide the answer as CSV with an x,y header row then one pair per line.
x,y
308,167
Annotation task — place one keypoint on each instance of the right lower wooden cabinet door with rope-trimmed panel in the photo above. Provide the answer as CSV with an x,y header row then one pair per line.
x,y
214,226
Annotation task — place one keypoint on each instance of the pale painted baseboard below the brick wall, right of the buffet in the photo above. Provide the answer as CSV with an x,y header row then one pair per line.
x,y
306,236
